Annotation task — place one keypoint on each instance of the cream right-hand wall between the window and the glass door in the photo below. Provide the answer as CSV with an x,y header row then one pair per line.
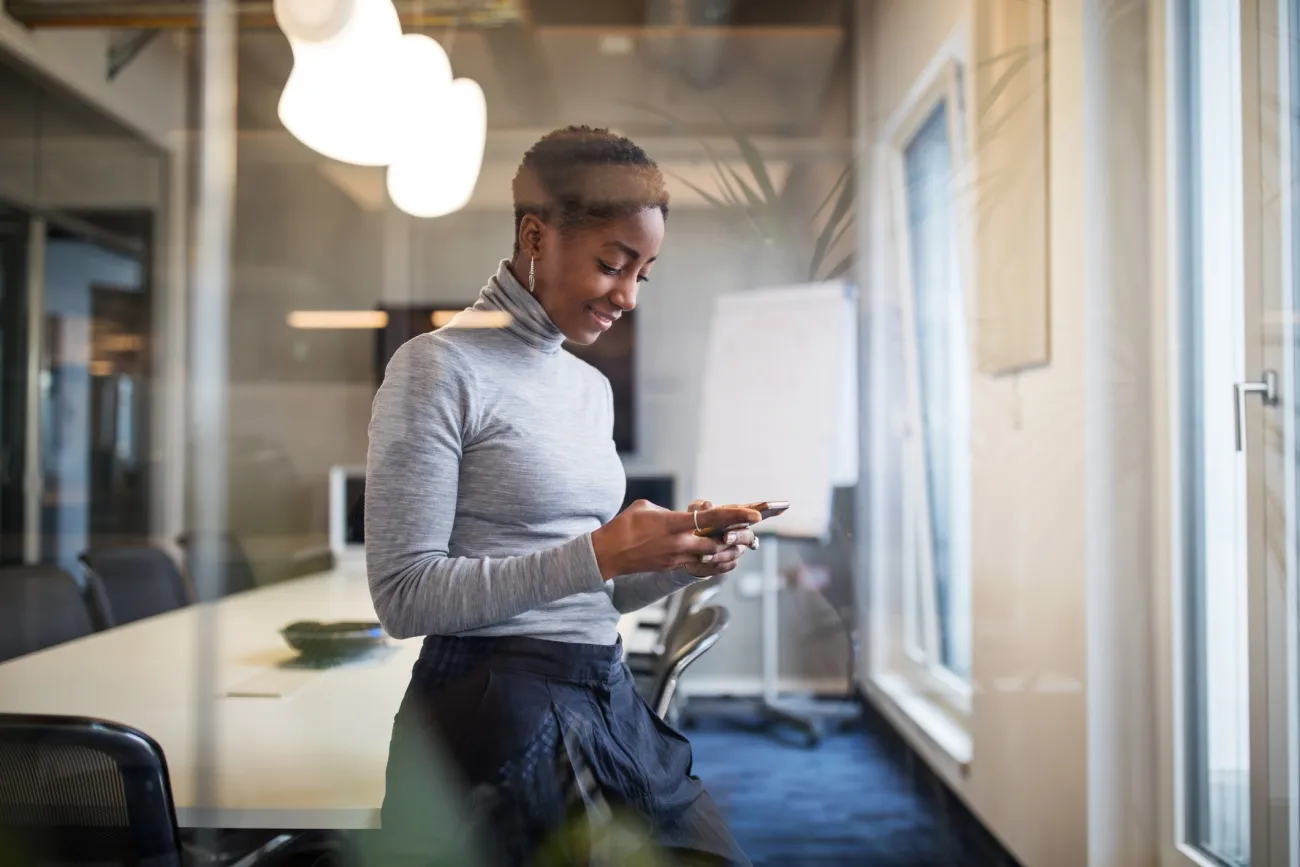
x,y
1061,705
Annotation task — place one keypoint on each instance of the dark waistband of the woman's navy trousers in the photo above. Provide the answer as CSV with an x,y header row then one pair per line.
x,y
452,657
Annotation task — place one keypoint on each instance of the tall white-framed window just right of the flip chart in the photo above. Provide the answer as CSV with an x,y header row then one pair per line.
x,y
929,367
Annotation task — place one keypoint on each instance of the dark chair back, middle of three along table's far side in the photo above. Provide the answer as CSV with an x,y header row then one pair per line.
x,y
135,583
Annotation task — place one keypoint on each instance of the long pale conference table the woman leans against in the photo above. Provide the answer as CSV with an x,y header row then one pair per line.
x,y
272,745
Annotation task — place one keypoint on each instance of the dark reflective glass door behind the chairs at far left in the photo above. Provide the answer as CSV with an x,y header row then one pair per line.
x,y
94,388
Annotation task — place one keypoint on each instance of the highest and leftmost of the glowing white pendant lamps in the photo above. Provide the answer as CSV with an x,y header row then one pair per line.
x,y
341,97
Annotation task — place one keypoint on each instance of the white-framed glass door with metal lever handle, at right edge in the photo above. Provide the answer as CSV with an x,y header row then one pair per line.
x,y
1237,131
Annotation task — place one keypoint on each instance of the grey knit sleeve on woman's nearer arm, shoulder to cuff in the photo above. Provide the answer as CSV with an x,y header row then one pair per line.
x,y
421,422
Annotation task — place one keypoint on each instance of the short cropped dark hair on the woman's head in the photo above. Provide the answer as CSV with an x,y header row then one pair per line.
x,y
579,177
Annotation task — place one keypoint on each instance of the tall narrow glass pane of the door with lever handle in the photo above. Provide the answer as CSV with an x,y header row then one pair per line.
x,y
1212,645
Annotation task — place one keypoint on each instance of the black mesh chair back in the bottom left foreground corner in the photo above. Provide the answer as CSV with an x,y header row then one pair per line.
x,y
84,792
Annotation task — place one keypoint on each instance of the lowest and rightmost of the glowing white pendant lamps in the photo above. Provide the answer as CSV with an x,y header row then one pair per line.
x,y
441,154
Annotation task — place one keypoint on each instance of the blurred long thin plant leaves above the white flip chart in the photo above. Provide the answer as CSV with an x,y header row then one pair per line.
x,y
773,215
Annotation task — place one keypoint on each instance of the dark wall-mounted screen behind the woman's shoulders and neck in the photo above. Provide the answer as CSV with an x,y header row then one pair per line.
x,y
614,356
